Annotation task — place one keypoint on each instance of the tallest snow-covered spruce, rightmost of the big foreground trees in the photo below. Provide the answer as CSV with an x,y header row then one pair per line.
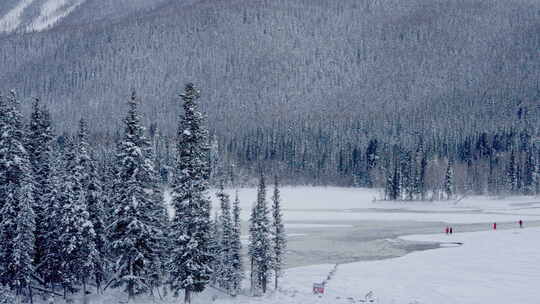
x,y
190,269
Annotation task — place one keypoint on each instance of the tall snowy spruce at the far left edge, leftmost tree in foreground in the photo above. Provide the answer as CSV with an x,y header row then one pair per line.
x,y
17,224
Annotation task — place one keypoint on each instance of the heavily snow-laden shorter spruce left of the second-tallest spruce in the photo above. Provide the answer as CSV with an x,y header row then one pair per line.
x,y
77,236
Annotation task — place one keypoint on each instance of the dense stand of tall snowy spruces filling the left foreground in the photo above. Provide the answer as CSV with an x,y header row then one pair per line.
x,y
70,219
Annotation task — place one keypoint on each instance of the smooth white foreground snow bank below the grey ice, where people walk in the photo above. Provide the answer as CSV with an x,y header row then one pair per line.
x,y
491,267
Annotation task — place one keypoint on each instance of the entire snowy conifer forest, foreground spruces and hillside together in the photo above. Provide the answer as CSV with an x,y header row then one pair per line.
x,y
424,100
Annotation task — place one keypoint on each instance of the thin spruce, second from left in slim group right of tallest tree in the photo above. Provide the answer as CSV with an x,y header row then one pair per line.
x,y
236,249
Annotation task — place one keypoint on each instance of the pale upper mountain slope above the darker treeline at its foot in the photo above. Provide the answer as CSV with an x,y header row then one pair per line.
x,y
462,63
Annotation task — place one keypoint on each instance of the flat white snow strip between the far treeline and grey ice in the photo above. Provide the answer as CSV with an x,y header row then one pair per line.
x,y
356,204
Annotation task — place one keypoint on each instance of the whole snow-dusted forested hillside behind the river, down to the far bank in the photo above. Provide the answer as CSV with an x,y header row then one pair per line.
x,y
302,87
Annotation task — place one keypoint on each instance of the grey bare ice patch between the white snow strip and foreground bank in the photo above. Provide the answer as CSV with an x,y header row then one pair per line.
x,y
320,242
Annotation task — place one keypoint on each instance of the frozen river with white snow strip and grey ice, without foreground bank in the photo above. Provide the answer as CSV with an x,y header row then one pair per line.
x,y
339,225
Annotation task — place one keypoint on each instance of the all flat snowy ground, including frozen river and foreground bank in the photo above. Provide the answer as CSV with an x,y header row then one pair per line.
x,y
397,251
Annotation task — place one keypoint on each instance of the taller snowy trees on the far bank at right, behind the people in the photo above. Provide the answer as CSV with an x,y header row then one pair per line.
x,y
503,163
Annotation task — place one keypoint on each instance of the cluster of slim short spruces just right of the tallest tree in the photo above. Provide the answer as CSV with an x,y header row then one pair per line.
x,y
267,242
